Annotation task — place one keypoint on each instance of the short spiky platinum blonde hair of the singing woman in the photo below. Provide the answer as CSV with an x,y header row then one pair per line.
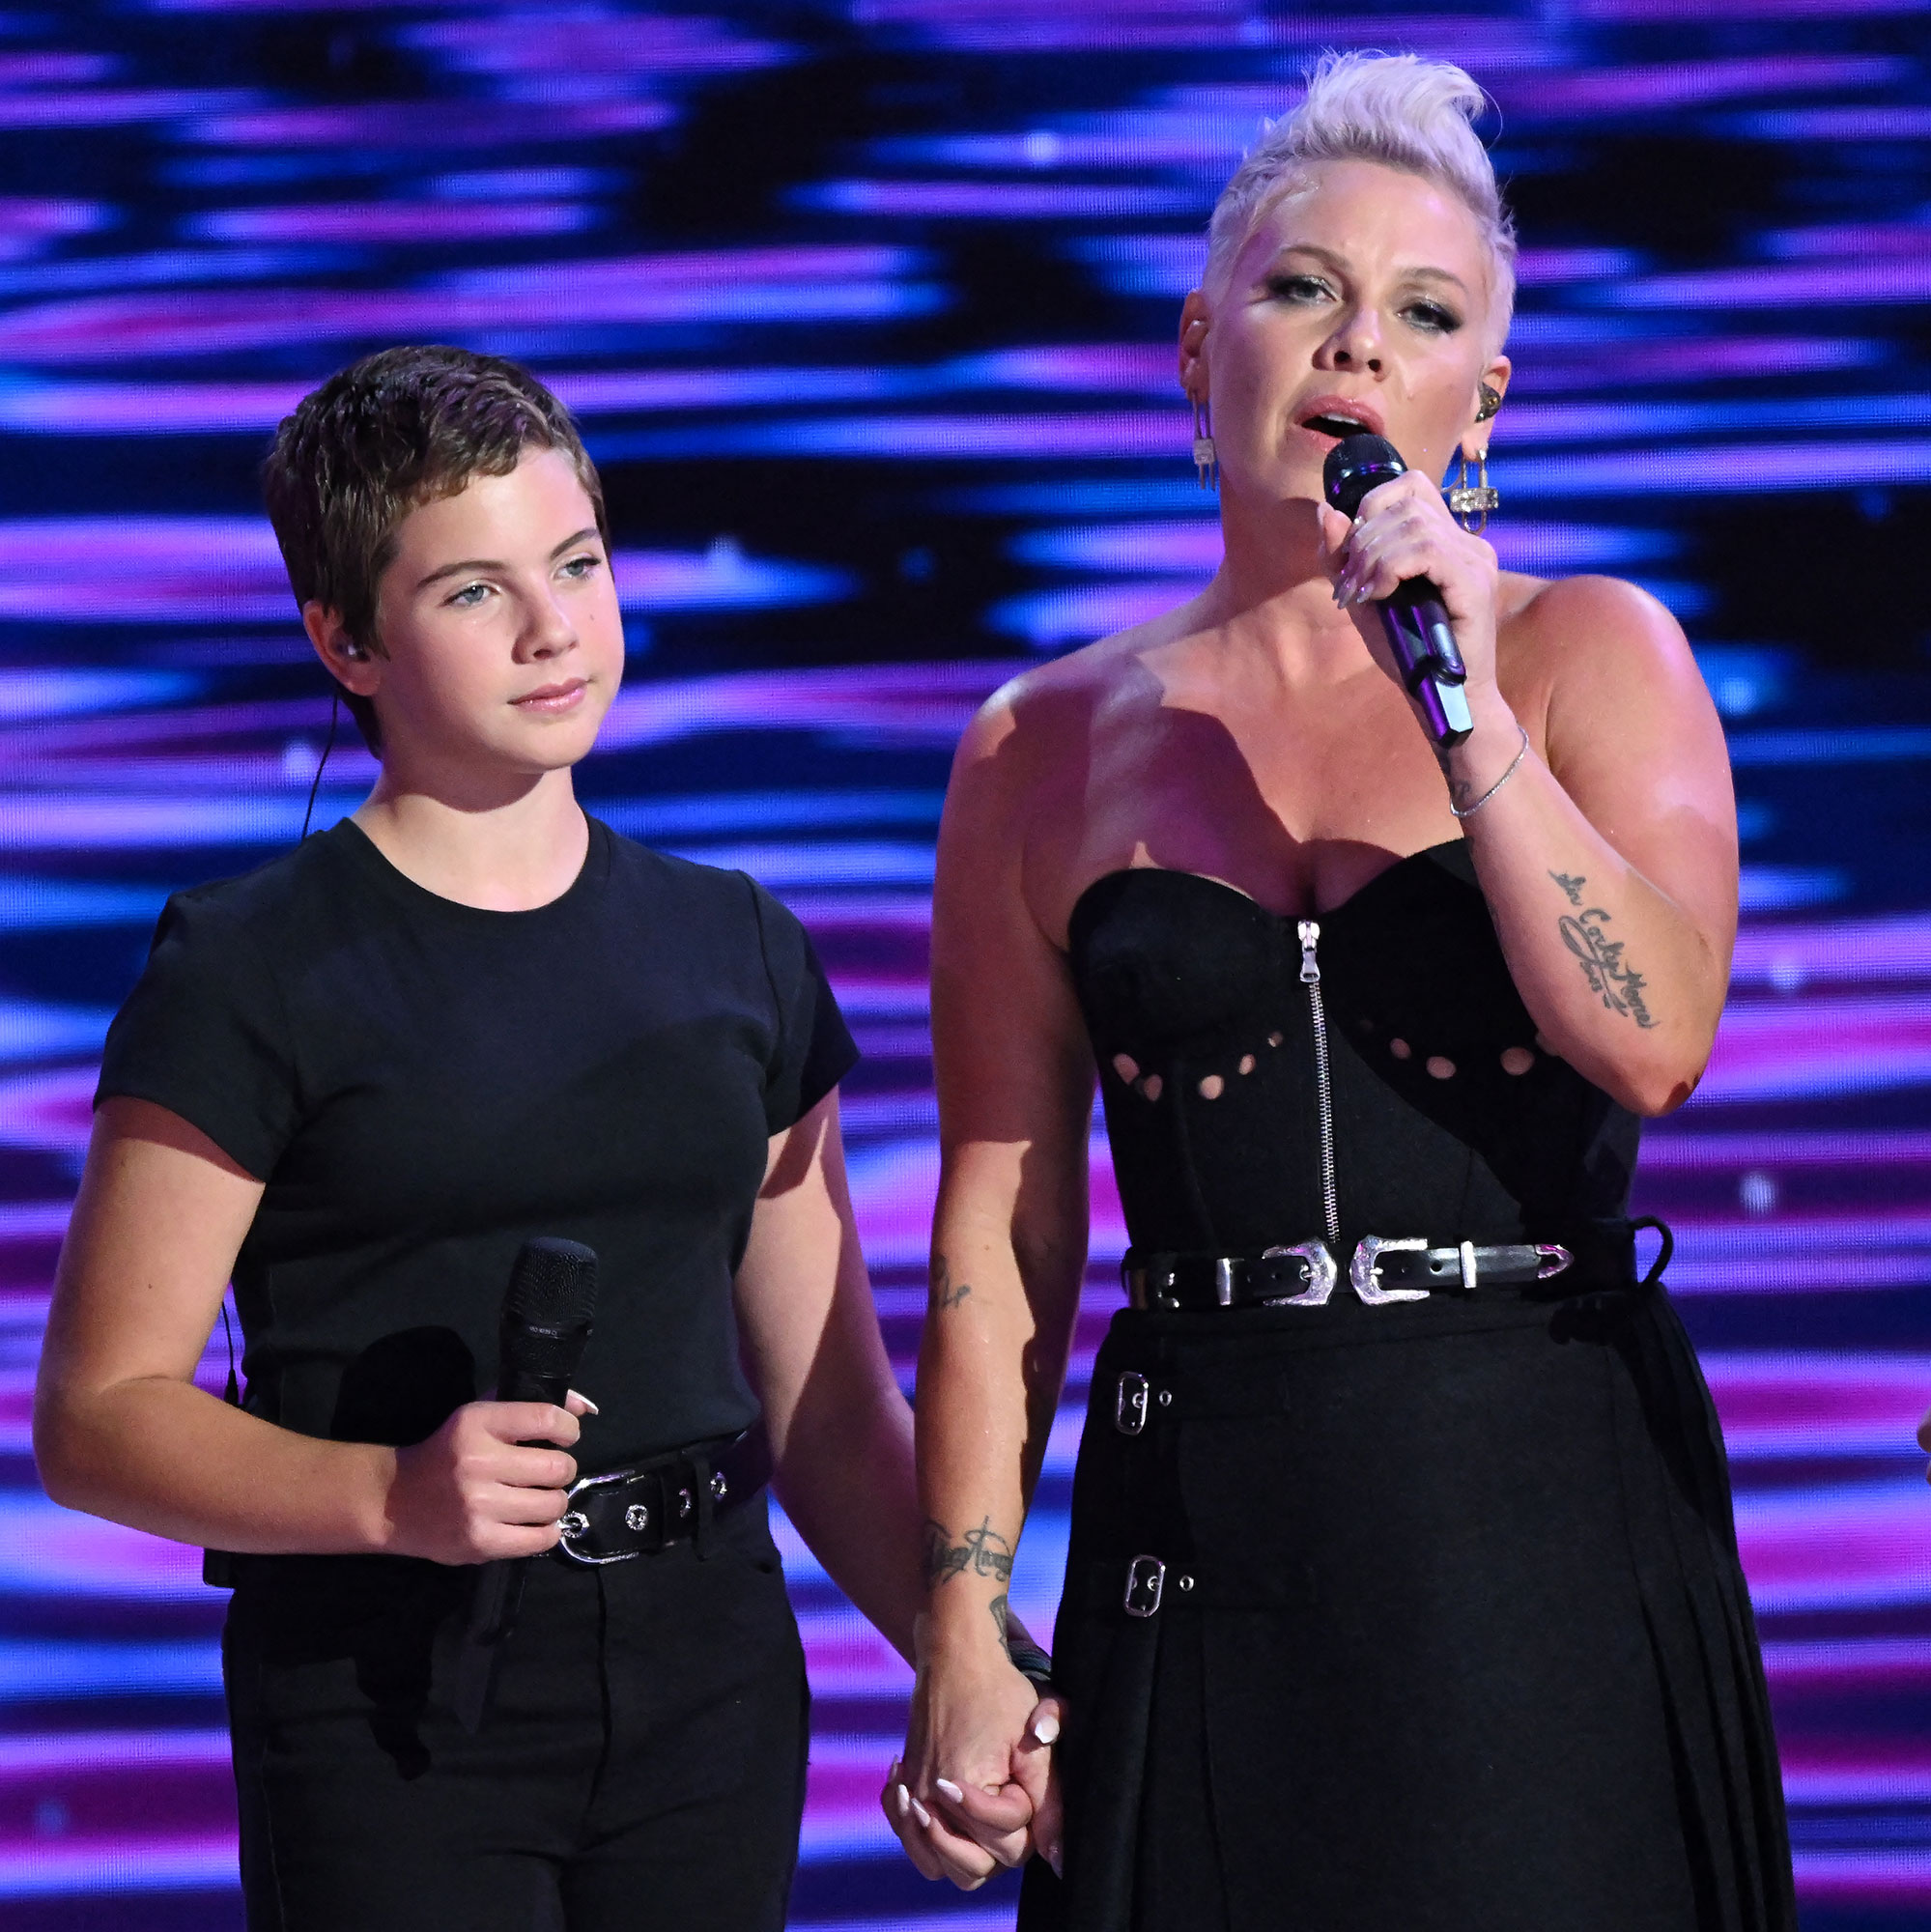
x,y
1393,109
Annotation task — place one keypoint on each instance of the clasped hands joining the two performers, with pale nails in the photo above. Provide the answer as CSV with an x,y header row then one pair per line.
x,y
978,1790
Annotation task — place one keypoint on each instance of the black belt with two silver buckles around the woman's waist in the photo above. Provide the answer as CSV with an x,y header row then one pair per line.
x,y
1382,1270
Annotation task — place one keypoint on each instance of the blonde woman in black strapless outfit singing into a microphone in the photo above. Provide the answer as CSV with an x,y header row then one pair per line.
x,y
1403,1583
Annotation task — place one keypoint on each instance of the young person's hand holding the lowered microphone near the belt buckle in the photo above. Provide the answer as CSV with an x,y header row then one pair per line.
x,y
476,1491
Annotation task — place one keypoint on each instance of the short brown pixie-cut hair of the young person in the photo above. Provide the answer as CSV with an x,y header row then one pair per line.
x,y
374,443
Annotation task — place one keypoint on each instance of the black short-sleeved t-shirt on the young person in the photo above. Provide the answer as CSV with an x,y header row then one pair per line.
x,y
426,1085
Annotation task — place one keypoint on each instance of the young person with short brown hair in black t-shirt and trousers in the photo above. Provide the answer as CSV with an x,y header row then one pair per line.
x,y
354,1083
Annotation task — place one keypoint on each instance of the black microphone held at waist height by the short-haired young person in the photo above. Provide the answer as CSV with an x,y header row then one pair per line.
x,y
546,1324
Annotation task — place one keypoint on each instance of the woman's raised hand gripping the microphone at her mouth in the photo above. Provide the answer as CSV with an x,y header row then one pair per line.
x,y
1405,530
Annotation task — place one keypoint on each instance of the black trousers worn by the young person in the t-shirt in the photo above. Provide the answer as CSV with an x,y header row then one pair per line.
x,y
642,1763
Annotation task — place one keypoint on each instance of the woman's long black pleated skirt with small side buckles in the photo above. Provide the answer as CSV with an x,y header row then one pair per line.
x,y
1451,1634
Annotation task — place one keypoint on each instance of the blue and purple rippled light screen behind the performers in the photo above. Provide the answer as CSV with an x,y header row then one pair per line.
x,y
868,312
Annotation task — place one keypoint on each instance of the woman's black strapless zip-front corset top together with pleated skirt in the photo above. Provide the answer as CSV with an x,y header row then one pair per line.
x,y
1453,1630
